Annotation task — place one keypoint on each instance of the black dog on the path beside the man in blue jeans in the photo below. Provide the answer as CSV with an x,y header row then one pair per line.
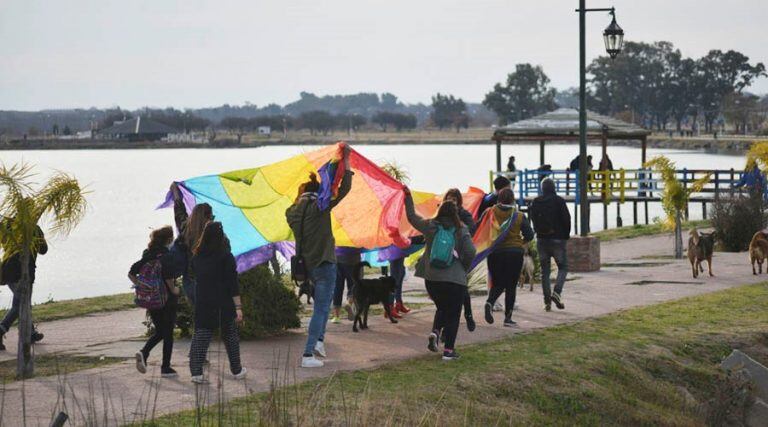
x,y
367,292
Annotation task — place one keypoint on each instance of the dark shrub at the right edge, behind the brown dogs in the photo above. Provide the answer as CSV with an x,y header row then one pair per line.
x,y
736,217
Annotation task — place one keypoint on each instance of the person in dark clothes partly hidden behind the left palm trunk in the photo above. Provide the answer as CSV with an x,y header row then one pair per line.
x,y
11,275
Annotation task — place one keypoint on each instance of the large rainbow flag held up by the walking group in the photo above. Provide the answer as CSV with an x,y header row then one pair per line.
x,y
251,204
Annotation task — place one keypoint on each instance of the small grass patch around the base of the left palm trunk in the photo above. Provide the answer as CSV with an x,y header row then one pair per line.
x,y
56,364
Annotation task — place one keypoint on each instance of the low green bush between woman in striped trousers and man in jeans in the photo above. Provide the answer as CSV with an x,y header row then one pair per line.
x,y
269,306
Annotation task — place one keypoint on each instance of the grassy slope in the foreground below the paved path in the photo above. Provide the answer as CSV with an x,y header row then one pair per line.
x,y
656,365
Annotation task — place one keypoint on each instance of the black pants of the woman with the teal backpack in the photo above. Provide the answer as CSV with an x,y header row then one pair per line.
x,y
448,298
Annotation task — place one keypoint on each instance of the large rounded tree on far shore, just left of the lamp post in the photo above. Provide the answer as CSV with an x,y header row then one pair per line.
x,y
526,93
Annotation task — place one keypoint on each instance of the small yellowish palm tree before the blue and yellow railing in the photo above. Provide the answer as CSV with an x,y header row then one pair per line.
x,y
674,197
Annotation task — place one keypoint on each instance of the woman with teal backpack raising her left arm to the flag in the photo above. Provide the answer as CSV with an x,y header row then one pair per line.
x,y
448,254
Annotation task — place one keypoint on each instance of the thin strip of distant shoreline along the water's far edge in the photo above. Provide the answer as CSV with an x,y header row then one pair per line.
x,y
719,146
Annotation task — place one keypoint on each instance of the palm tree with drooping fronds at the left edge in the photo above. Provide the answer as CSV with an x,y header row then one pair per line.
x,y
61,202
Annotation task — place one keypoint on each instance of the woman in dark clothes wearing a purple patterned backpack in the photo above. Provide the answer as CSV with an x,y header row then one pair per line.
x,y
155,267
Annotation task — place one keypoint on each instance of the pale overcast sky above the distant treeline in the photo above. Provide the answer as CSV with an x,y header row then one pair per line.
x,y
195,53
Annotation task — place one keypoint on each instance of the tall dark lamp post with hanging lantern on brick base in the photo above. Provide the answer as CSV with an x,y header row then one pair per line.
x,y
613,37
